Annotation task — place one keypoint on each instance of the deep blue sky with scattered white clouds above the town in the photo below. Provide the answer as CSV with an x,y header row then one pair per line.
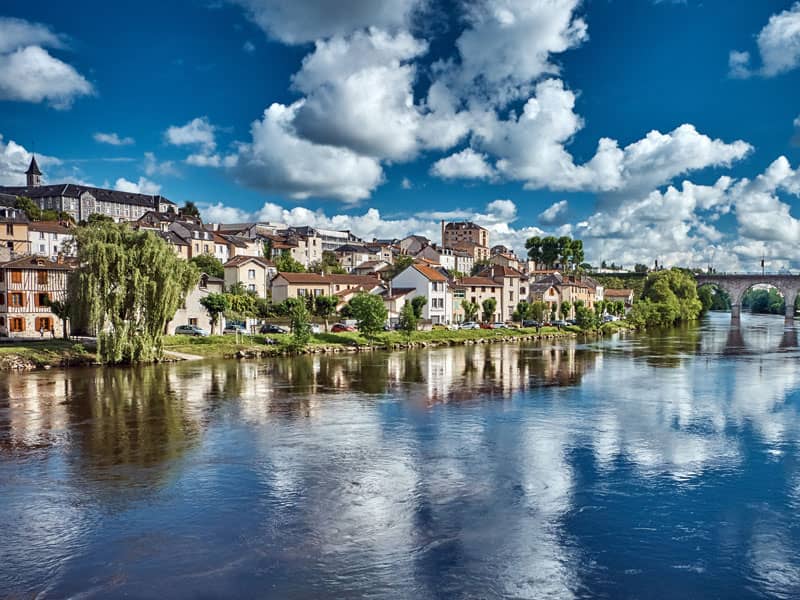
x,y
384,117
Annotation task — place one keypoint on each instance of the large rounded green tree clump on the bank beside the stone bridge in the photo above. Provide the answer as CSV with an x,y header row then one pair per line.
x,y
668,297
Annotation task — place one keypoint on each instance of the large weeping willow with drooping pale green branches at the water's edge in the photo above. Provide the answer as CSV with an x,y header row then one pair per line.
x,y
127,288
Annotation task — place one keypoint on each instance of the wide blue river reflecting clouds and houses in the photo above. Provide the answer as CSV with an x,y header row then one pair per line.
x,y
658,466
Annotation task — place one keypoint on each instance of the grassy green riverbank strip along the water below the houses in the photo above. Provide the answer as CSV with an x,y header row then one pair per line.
x,y
36,354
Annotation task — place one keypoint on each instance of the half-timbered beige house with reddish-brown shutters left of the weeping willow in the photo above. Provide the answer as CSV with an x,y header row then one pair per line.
x,y
27,285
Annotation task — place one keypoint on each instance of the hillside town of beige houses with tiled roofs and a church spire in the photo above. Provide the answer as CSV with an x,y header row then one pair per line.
x,y
459,270
